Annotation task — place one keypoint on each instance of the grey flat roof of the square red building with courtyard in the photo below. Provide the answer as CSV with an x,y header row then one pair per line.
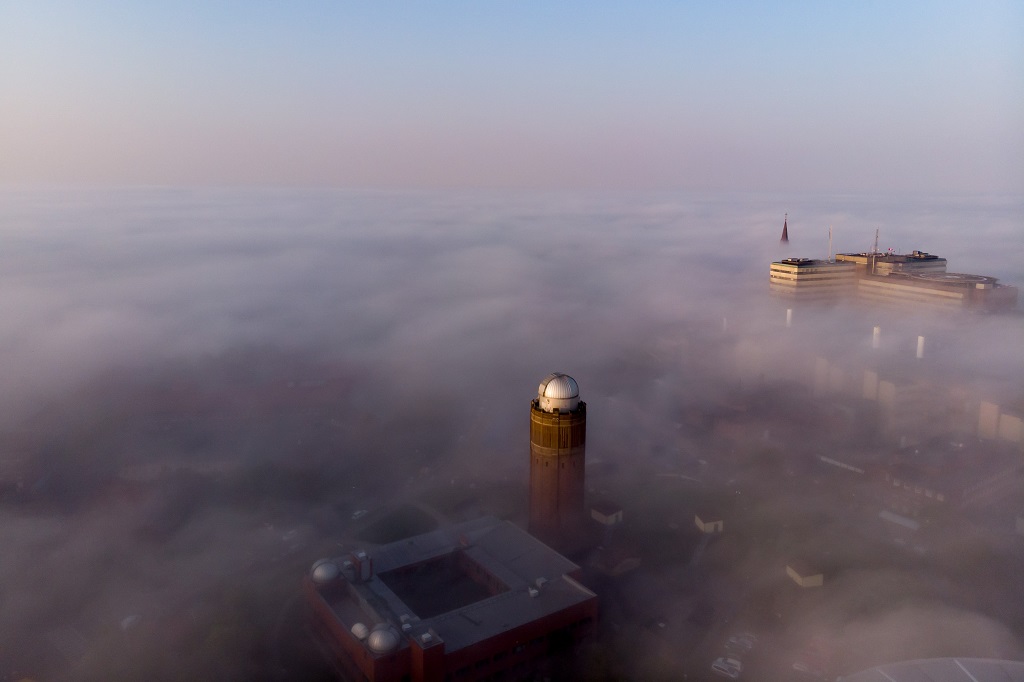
x,y
466,583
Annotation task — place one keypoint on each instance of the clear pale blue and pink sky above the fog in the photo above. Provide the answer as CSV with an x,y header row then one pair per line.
x,y
866,98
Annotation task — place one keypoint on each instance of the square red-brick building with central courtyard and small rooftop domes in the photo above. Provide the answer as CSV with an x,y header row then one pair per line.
x,y
479,601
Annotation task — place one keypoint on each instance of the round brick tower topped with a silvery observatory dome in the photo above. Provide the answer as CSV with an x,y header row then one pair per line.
x,y
558,452
